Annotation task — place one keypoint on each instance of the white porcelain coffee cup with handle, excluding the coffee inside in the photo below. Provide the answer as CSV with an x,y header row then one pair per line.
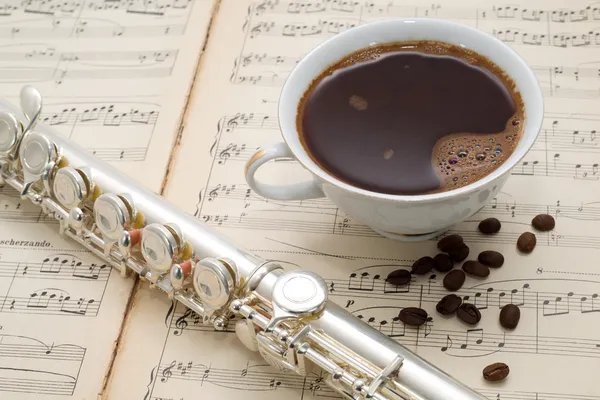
x,y
411,217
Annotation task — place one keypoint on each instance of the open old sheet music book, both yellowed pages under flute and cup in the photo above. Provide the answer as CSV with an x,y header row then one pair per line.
x,y
117,77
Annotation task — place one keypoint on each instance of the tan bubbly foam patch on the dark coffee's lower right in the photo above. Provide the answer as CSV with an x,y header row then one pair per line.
x,y
463,158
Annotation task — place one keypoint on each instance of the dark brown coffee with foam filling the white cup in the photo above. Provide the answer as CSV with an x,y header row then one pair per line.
x,y
411,118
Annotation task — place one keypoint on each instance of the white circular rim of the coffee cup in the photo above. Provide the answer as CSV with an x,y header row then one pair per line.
x,y
508,165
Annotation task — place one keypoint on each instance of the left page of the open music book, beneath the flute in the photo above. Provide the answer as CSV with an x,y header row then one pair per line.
x,y
114,76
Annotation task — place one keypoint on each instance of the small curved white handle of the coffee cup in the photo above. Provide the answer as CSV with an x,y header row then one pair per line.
x,y
297,191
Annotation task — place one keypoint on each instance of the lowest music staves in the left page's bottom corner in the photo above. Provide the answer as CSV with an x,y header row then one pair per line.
x,y
32,366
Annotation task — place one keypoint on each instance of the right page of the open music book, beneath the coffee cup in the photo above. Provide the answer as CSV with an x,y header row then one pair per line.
x,y
554,352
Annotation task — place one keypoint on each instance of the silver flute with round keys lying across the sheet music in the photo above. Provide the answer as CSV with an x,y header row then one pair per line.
x,y
285,316
